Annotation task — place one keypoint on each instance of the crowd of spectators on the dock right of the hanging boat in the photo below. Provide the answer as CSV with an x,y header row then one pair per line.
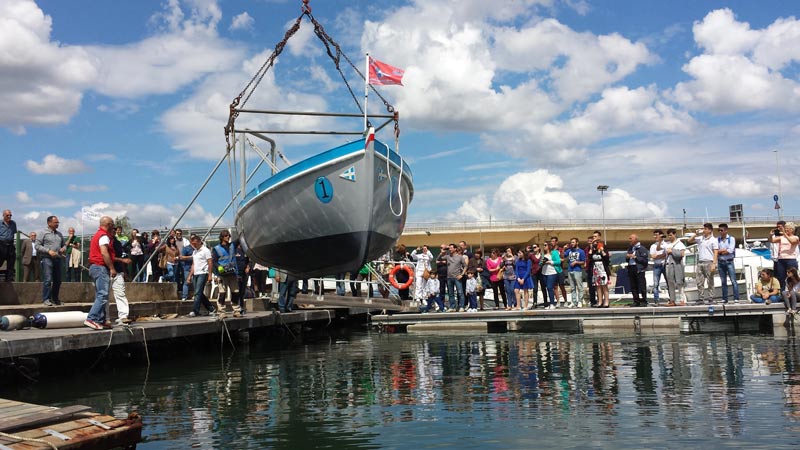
x,y
458,279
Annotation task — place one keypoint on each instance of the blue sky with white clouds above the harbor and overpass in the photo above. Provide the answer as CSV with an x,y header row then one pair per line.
x,y
510,109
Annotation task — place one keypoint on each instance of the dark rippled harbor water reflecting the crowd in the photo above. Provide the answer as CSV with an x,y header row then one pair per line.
x,y
368,390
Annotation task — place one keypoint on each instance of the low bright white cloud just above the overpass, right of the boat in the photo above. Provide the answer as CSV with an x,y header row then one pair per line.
x,y
542,195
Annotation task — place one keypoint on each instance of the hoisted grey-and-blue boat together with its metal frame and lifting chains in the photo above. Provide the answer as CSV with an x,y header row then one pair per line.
x,y
334,211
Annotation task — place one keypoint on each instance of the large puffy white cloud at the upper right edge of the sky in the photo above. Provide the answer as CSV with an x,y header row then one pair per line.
x,y
741,67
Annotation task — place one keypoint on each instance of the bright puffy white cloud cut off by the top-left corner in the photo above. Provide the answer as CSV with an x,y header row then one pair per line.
x,y
43,81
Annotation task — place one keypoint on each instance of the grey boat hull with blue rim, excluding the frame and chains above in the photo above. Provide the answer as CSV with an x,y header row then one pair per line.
x,y
330,213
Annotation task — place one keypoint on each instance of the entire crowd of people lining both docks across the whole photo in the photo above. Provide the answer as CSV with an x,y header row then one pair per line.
x,y
455,280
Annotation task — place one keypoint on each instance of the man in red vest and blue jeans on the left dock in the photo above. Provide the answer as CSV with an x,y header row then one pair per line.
x,y
101,269
